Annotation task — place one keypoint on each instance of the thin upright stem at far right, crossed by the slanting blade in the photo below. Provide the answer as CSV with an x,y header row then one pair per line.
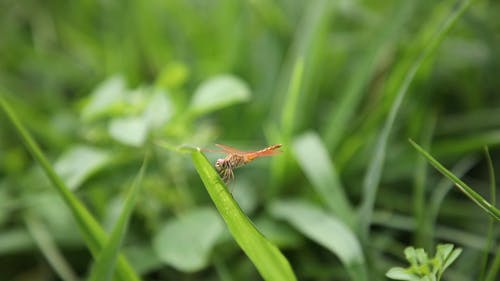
x,y
491,224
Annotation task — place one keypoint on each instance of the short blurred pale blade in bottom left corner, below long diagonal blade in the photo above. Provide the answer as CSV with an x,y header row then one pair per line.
x,y
49,249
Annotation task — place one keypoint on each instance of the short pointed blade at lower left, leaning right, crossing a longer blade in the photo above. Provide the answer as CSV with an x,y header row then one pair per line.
x,y
106,261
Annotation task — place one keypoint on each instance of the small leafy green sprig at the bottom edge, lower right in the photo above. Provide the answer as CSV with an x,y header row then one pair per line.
x,y
423,268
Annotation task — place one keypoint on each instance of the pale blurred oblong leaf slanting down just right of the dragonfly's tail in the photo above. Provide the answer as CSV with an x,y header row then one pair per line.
x,y
312,157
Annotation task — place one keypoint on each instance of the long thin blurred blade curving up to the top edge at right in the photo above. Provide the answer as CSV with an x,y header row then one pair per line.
x,y
374,172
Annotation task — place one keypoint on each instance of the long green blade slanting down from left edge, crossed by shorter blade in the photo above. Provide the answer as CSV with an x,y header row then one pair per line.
x,y
92,232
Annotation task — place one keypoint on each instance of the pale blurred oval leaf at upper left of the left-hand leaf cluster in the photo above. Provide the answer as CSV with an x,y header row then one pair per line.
x,y
104,97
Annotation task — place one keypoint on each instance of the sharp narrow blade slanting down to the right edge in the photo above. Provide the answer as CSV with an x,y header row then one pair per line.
x,y
474,196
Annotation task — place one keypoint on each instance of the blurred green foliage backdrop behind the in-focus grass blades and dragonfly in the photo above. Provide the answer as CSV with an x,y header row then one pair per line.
x,y
100,83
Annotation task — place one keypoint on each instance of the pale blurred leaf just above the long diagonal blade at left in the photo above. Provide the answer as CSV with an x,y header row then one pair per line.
x,y
79,163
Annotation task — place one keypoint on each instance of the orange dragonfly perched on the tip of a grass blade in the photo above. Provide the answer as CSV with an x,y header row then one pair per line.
x,y
236,158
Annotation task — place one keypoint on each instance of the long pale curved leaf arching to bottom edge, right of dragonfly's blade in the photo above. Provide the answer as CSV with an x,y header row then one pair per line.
x,y
325,230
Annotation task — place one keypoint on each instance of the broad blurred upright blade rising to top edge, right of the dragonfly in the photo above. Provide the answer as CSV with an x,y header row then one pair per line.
x,y
293,86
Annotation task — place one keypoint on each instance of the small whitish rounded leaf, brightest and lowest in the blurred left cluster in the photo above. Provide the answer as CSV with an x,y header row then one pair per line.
x,y
129,130
